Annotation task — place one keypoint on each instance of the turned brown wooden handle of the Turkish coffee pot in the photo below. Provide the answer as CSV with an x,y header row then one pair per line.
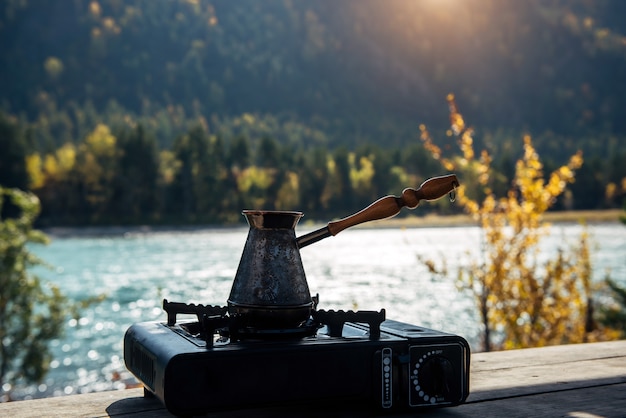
x,y
389,206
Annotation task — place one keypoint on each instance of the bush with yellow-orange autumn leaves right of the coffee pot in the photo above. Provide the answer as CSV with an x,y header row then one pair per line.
x,y
524,298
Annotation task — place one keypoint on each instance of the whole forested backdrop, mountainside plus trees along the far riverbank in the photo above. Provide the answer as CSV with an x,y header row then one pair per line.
x,y
177,112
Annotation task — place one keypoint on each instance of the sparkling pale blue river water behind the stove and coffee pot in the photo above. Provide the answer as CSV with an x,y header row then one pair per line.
x,y
360,268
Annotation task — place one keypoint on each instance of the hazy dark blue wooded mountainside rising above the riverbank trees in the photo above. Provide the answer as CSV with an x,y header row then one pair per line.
x,y
335,71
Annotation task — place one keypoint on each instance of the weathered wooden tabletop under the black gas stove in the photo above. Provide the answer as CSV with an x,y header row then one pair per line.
x,y
584,380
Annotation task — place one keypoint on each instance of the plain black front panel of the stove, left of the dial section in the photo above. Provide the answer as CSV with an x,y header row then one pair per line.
x,y
285,374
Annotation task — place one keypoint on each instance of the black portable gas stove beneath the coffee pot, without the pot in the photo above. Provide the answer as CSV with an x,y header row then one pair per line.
x,y
358,357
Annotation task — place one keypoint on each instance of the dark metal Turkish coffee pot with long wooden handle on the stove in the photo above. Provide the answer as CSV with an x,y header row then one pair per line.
x,y
270,290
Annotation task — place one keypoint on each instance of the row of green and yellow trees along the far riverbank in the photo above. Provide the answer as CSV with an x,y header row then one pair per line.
x,y
122,176
